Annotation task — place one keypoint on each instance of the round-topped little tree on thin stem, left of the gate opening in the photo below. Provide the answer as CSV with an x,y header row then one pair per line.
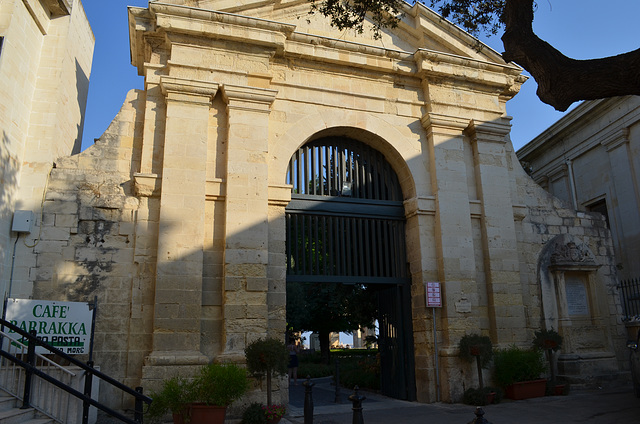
x,y
266,357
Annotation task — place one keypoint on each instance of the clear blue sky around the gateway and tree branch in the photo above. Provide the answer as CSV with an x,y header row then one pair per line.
x,y
581,29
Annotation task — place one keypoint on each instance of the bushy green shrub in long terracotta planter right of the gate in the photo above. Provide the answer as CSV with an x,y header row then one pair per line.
x,y
514,364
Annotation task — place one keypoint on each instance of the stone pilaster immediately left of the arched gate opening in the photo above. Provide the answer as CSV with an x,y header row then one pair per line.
x,y
246,254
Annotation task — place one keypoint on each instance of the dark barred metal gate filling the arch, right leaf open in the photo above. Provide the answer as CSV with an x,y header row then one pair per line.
x,y
346,225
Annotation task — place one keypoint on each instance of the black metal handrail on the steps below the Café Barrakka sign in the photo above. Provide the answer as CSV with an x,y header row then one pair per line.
x,y
31,369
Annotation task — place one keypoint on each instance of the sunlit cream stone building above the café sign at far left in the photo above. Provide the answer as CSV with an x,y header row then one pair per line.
x,y
45,63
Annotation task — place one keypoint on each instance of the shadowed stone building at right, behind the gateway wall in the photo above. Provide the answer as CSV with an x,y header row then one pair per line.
x,y
589,159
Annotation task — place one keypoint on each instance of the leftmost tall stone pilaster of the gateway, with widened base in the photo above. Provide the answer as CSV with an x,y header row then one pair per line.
x,y
178,288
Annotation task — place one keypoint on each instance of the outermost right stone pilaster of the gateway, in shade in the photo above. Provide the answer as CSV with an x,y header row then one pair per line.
x,y
504,291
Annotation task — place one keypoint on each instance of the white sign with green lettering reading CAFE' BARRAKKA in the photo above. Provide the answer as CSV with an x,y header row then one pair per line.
x,y
64,325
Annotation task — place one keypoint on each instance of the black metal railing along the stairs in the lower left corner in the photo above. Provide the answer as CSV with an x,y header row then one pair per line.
x,y
32,367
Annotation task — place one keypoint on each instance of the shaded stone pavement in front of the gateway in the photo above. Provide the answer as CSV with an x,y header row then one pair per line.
x,y
603,406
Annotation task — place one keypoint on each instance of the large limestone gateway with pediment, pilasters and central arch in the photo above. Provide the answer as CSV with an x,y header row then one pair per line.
x,y
259,127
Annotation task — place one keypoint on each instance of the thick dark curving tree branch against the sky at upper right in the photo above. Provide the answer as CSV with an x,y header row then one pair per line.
x,y
562,80
